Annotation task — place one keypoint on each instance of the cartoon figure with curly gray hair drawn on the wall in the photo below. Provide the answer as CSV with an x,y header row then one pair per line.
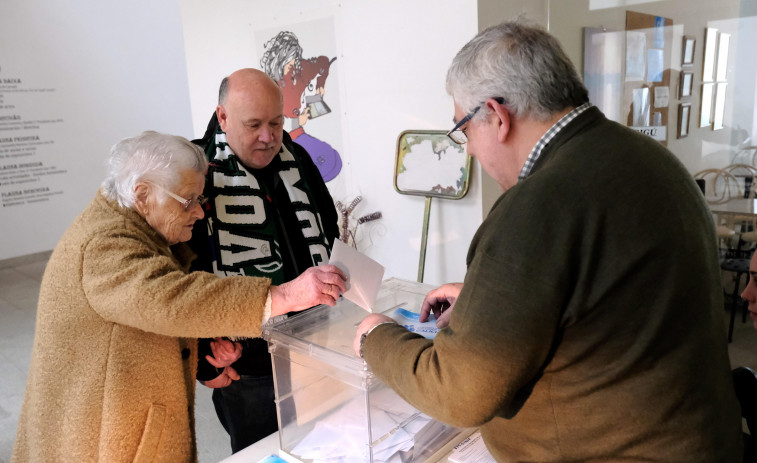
x,y
302,82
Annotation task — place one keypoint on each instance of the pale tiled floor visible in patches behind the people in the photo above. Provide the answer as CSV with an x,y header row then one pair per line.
x,y
19,289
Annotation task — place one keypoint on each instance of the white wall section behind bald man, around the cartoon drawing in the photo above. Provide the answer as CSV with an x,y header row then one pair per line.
x,y
392,58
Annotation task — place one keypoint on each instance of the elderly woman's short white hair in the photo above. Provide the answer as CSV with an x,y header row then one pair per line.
x,y
151,156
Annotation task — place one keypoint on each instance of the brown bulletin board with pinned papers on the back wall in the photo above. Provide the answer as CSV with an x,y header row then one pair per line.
x,y
646,90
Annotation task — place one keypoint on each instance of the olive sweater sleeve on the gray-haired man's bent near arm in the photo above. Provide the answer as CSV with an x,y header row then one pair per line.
x,y
500,333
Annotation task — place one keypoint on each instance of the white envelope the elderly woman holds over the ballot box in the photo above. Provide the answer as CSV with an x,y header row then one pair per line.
x,y
363,273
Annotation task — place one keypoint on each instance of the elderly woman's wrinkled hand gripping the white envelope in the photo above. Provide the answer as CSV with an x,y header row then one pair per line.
x,y
316,285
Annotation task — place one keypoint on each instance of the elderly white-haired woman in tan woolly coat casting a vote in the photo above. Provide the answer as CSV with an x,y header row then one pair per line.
x,y
112,375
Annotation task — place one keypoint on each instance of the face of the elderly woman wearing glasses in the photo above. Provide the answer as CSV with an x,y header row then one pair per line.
x,y
169,218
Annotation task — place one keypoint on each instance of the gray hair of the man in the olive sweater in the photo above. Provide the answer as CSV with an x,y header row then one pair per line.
x,y
521,63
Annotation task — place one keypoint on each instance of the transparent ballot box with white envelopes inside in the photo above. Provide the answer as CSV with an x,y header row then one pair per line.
x,y
330,406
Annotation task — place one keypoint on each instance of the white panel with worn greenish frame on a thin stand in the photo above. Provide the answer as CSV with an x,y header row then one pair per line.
x,y
429,164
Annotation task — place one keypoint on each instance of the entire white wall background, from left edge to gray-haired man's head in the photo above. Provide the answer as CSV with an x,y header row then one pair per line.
x,y
120,68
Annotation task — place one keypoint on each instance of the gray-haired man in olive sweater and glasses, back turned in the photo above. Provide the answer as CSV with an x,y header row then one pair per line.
x,y
589,326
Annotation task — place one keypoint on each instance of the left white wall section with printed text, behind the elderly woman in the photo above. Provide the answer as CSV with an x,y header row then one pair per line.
x,y
117,68
